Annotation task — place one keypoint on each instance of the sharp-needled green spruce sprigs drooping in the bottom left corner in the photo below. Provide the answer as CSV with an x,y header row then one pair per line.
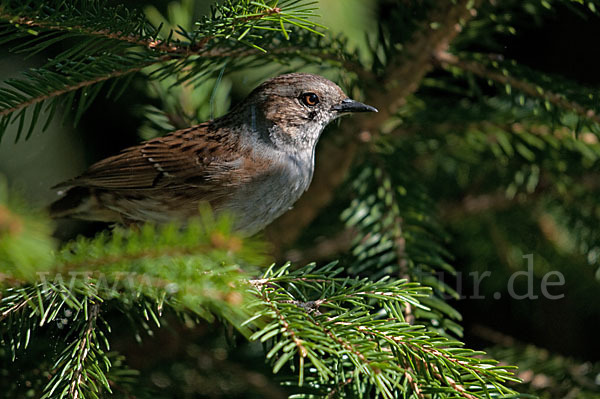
x,y
81,364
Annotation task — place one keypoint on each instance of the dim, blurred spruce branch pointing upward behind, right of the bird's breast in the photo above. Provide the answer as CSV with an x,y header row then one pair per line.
x,y
396,234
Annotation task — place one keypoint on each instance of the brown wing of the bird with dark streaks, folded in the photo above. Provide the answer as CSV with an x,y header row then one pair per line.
x,y
198,156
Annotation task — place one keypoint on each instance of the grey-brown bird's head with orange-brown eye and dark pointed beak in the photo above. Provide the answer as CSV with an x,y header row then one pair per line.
x,y
292,110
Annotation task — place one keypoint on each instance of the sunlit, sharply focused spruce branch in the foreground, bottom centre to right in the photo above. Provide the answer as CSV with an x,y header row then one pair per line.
x,y
329,325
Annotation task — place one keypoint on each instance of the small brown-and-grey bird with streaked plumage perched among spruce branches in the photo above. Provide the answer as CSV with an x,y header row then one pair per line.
x,y
254,162
